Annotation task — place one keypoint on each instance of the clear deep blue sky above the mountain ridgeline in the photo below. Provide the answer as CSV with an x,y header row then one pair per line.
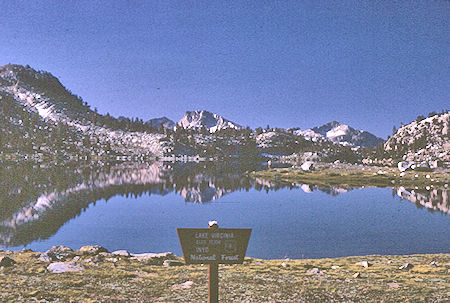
x,y
370,64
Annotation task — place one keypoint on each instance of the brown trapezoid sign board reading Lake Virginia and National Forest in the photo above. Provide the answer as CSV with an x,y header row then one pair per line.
x,y
214,246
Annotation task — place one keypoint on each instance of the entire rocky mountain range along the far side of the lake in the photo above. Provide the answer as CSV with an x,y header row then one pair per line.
x,y
44,108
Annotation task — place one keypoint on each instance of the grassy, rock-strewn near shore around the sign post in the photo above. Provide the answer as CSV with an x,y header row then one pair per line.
x,y
92,274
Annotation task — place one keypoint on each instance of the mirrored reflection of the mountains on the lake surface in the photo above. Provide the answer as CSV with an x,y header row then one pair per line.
x,y
35,201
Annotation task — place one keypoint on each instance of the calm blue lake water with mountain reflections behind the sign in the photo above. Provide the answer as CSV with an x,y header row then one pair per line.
x,y
139,206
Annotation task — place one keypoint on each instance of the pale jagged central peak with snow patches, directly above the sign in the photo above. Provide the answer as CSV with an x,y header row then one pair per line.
x,y
212,122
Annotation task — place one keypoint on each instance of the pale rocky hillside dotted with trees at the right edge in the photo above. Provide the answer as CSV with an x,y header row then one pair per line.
x,y
423,139
